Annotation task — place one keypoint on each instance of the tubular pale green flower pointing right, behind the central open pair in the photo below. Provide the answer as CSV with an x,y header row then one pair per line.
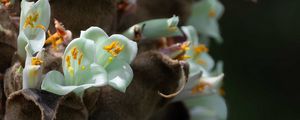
x,y
156,28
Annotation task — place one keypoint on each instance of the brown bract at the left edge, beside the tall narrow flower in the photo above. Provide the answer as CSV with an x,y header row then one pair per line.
x,y
8,36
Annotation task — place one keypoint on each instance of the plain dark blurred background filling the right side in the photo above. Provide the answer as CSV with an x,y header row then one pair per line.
x,y
261,53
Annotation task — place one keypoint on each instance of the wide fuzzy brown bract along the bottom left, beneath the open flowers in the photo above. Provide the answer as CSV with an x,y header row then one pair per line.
x,y
33,104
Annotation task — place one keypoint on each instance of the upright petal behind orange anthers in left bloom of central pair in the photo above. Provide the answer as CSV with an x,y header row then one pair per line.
x,y
79,67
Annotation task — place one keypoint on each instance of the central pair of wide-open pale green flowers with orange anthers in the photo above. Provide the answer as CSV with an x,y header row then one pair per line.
x,y
93,60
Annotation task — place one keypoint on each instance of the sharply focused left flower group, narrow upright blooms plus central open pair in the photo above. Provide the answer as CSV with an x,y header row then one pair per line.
x,y
92,60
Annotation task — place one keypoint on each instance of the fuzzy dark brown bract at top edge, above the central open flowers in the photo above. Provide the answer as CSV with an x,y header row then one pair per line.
x,y
77,15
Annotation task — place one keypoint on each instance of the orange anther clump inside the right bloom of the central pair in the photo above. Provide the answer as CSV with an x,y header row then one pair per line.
x,y
114,48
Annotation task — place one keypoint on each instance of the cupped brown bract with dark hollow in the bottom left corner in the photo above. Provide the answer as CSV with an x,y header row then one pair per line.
x,y
30,104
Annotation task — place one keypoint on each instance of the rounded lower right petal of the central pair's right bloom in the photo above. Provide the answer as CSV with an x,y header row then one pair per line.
x,y
119,75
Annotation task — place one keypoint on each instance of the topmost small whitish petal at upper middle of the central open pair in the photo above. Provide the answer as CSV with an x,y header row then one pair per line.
x,y
94,33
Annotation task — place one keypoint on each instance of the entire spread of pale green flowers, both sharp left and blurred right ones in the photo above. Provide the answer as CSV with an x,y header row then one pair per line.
x,y
96,59
